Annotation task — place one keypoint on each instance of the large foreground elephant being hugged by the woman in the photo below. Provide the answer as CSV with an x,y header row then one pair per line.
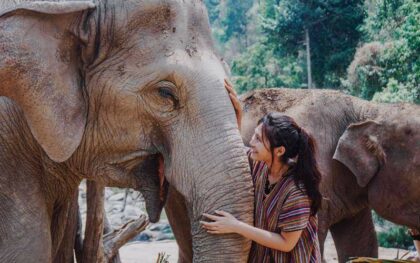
x,y
113,91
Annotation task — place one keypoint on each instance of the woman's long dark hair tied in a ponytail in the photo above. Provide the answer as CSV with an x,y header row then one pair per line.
x,y
281,130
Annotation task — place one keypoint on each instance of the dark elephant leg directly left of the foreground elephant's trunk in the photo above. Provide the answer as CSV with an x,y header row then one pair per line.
x,y
177,213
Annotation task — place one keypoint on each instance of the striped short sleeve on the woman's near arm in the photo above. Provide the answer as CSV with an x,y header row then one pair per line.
x,y
295,211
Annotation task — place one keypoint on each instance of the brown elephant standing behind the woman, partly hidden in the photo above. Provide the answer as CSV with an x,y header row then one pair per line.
x,y
368,154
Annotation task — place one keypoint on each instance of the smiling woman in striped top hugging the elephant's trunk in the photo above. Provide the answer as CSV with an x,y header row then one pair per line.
x,y
287,197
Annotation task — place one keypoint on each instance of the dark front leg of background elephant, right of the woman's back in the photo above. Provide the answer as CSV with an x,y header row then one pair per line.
x,y
355,236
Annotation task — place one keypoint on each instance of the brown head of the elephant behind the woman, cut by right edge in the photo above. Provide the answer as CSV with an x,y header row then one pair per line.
x,y
384,157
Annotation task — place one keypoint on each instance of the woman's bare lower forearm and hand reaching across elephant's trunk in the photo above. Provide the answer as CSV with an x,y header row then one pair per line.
x,y
227,223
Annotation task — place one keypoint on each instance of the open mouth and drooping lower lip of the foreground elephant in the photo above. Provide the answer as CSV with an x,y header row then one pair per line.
x,y
148,169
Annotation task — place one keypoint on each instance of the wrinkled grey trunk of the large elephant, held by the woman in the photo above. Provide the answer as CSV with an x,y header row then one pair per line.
x,y
214,175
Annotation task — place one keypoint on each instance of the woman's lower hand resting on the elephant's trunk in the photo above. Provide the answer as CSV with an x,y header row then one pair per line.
x,y
223,224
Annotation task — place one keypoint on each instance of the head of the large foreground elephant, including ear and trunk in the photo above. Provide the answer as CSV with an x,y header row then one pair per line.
x,y
111,87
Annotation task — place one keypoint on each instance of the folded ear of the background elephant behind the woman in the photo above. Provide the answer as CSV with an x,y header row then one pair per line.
x,y
360,150
